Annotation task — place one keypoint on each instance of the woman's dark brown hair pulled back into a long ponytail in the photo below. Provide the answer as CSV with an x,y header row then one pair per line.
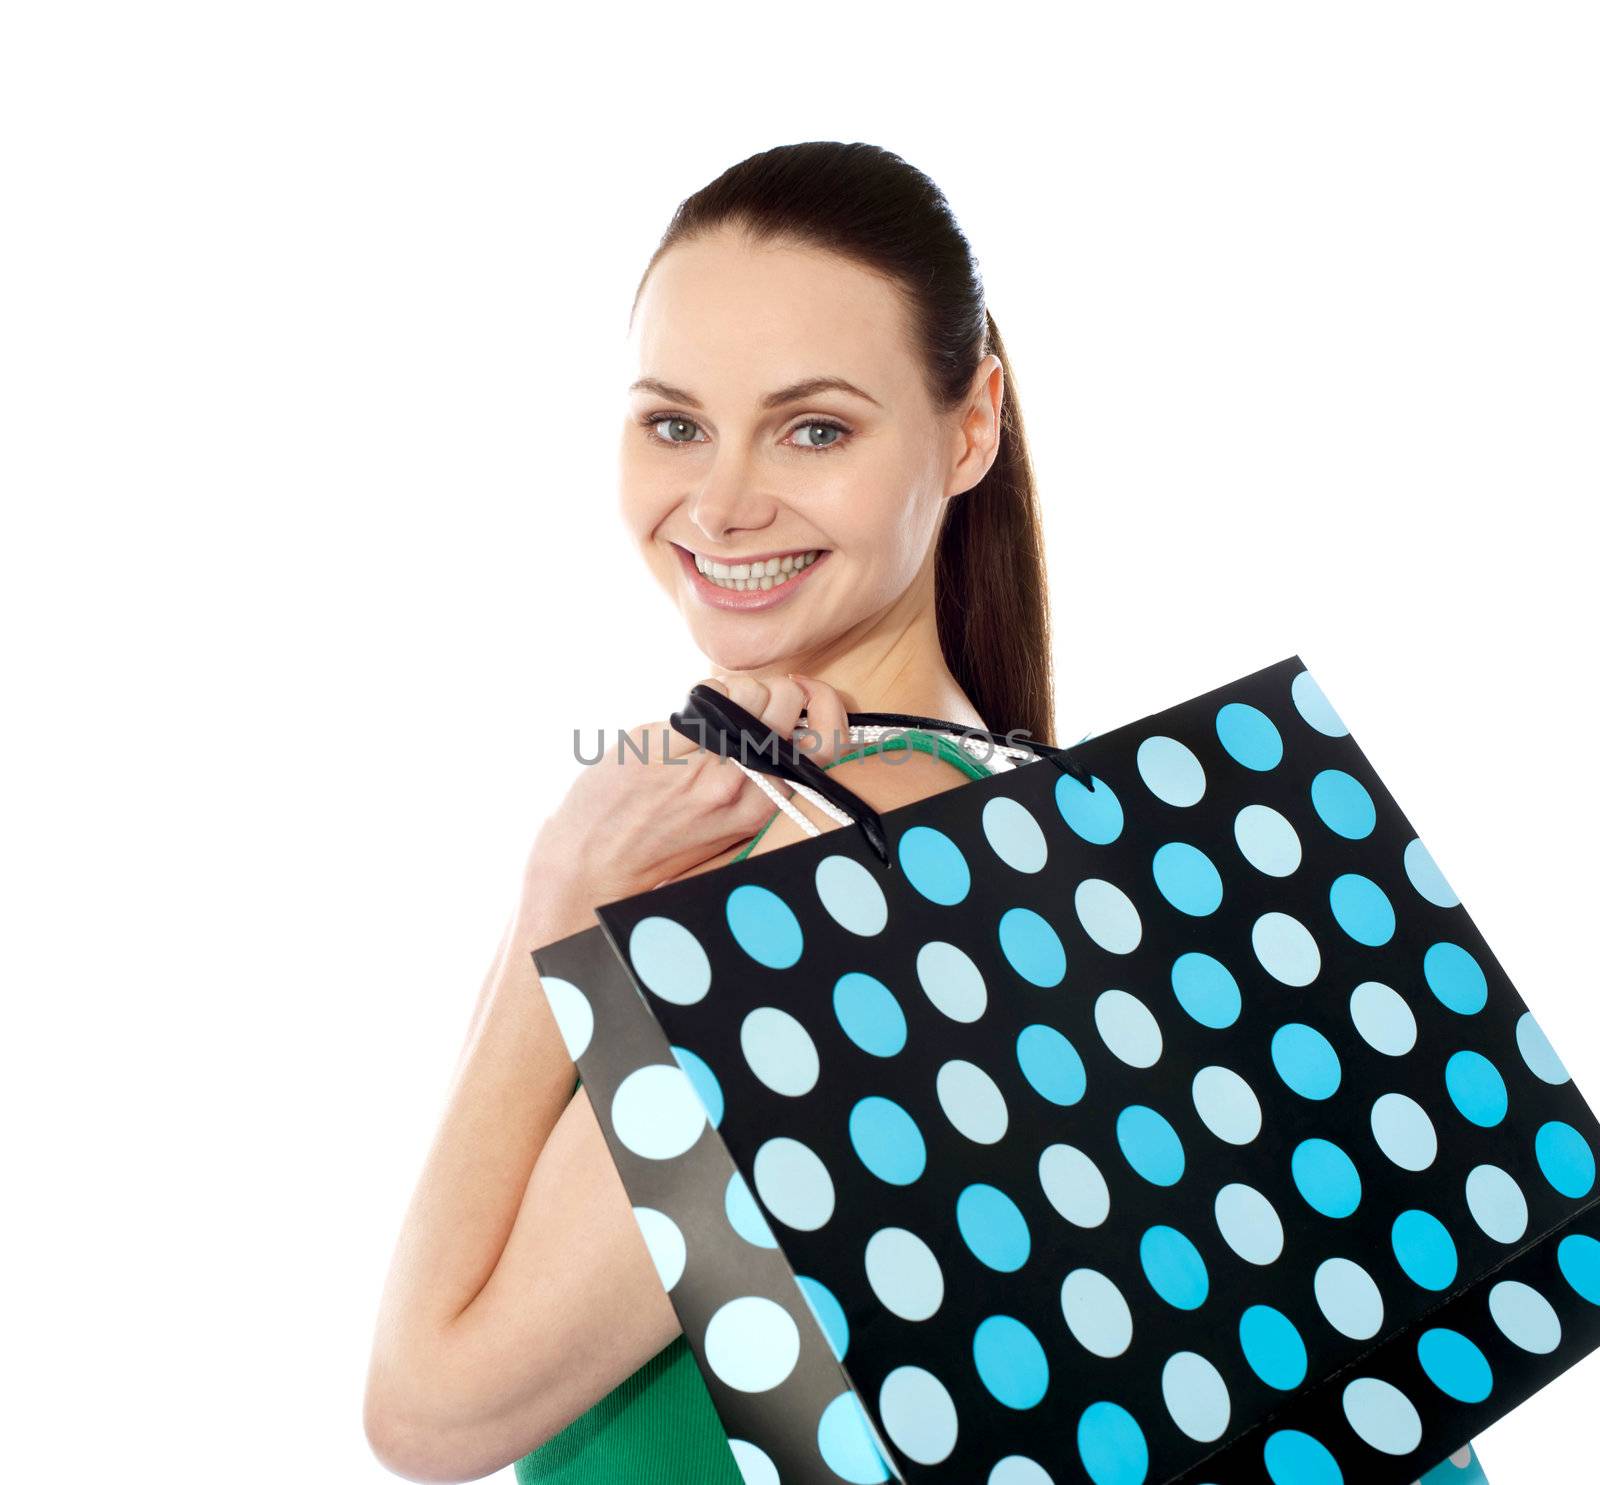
x,y
866,204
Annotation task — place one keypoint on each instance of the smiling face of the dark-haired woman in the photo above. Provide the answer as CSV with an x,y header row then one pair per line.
x,y
737,458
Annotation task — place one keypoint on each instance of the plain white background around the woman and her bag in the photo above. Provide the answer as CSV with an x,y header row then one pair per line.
x,y
310,330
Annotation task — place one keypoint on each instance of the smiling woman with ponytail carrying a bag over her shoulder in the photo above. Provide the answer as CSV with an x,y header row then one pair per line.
x,y
823,466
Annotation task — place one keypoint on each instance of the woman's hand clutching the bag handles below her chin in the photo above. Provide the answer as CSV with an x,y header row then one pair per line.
x,y
658,806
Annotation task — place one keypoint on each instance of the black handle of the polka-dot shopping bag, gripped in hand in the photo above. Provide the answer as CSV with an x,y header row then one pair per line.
x,y
727,729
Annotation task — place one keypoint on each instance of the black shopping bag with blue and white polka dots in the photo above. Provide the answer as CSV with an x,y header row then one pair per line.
x,y
1159,1118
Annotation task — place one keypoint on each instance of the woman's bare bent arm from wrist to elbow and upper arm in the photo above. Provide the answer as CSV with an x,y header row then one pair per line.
x,y
521,1291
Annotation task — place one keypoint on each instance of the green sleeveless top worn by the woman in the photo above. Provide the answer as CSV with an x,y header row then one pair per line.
x,y
660,1427
